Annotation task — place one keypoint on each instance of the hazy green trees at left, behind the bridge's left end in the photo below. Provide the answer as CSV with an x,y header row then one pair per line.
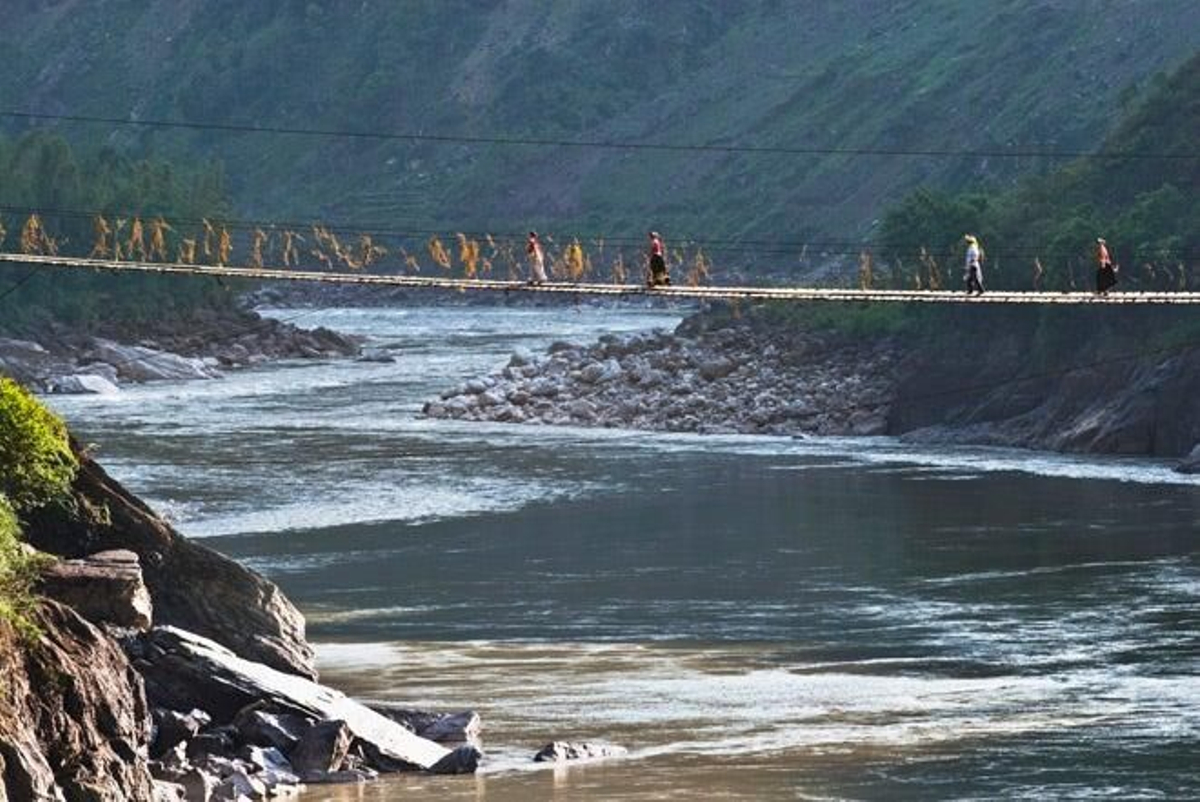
x,y
68,188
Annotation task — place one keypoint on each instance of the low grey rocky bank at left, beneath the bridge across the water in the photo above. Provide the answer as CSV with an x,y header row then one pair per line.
x,y
59,360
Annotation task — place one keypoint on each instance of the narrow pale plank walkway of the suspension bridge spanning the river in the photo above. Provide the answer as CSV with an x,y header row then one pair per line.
x,y
682,292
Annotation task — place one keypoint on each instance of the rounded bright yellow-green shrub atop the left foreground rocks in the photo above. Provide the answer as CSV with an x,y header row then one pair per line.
x,y
37,463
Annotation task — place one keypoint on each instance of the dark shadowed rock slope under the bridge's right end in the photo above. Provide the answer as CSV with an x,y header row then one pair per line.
x,y
1099,385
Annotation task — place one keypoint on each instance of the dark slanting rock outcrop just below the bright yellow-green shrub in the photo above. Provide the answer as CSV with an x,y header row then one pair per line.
x,y
193,588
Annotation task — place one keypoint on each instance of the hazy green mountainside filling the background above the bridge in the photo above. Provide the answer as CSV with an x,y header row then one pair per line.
x,y
935,75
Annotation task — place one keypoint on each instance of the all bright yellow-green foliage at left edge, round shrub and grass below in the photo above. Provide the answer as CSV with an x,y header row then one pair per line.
x,y
37,469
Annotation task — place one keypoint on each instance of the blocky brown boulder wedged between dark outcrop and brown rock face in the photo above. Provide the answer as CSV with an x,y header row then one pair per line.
x,y
105,589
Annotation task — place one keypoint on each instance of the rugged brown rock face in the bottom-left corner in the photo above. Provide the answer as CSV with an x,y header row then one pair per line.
x,y
74,717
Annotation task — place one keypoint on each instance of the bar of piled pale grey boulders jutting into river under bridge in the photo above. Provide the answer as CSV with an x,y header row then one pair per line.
x,y
728,380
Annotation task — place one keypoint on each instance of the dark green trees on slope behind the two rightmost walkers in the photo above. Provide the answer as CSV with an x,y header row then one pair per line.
x,y
1148,210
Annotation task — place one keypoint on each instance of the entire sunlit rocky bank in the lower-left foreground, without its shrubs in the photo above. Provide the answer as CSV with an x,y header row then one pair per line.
x,y
164,672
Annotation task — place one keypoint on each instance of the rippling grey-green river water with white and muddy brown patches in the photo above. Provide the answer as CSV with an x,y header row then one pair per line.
x,y
753,618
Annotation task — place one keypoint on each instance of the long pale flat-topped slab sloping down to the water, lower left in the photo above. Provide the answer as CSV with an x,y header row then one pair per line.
x,y
184,671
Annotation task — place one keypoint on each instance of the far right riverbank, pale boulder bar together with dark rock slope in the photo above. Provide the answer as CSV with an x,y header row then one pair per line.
x,y
988,380
